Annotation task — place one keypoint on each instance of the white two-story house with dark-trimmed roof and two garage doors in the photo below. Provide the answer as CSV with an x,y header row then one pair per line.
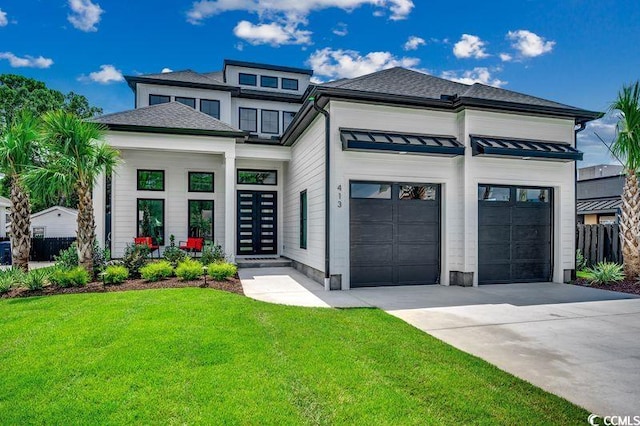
x,y
392,178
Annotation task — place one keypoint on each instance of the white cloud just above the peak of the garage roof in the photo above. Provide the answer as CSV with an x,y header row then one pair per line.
x,y
341,63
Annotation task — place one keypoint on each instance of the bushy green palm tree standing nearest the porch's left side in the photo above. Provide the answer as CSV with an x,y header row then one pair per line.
x,y
75,156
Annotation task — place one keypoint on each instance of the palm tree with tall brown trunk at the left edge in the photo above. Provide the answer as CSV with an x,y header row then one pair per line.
x,y
18,150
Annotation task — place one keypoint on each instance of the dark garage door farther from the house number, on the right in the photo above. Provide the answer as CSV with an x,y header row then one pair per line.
x,y
514,234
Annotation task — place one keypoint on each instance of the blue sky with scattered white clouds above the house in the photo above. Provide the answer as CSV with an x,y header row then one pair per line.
x,y
578,52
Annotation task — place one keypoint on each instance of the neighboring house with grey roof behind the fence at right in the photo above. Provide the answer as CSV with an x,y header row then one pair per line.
x,y
599,194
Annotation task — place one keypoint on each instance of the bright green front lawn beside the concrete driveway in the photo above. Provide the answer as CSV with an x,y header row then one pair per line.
x,y
185,356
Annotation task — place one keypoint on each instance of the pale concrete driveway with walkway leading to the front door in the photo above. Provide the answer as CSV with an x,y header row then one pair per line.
x,y
580,343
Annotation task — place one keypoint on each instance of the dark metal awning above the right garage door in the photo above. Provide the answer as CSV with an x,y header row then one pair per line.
x,y
524,149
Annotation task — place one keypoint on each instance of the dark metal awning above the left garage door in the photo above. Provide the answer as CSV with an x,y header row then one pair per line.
x,y
401,143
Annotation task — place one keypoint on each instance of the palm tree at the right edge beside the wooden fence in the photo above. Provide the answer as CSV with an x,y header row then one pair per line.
x,y
627,147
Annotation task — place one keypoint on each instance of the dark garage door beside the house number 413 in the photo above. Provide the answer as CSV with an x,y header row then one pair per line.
x,y
395,234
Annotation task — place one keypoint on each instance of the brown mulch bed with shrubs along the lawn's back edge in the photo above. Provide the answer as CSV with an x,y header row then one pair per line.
x,y
232,285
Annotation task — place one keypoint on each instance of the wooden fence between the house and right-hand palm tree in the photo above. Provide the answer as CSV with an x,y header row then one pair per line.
x,y
599,243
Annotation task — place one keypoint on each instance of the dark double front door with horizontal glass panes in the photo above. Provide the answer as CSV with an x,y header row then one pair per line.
x,y
257,222
